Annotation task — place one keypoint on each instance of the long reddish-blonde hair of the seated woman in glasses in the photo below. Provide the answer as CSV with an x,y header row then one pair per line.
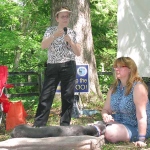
x,y
133,76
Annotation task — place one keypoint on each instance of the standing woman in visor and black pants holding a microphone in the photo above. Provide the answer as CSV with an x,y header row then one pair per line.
x,y
62,46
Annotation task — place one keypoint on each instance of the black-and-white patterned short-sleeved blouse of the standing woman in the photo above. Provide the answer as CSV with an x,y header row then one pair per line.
x,y
59,51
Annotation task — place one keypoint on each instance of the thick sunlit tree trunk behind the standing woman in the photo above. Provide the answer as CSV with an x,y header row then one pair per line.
x,y
81,23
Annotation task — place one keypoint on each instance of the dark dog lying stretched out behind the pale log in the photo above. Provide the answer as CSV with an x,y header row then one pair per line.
x,y
27,131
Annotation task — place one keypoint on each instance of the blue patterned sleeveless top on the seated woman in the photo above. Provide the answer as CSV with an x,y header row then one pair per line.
x,y
123,107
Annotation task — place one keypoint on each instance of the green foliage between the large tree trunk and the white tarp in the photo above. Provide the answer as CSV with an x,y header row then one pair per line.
x,y
104,30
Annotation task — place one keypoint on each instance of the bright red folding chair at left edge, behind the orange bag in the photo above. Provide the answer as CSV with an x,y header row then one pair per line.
x,y
4,101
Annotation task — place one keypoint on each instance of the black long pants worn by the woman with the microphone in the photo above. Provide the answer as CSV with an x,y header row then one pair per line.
x,y
66,73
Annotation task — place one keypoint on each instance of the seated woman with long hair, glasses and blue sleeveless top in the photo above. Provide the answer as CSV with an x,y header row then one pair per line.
x,y
127,108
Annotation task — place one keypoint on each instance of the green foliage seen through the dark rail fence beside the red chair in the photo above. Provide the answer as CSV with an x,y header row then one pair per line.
x,y
24,83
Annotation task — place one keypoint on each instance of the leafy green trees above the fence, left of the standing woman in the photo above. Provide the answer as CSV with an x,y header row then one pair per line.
x,y
22,27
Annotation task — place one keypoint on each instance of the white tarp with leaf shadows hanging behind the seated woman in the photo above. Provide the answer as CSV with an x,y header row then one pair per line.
x,y
134,33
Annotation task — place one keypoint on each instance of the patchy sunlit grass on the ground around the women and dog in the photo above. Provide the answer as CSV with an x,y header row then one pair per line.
x,y
30,105
